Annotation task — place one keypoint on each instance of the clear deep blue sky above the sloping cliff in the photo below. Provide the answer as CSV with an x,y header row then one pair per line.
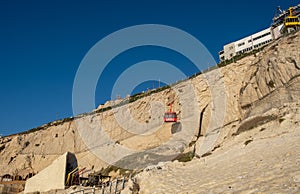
x,y
43,42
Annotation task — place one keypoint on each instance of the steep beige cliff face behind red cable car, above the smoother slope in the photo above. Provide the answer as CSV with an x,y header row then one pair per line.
x,y
226,97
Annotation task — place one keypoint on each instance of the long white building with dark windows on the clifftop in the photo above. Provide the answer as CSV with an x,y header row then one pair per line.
x,y
246,44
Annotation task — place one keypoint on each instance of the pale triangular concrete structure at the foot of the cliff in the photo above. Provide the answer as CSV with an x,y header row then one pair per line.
x,y
52,177
